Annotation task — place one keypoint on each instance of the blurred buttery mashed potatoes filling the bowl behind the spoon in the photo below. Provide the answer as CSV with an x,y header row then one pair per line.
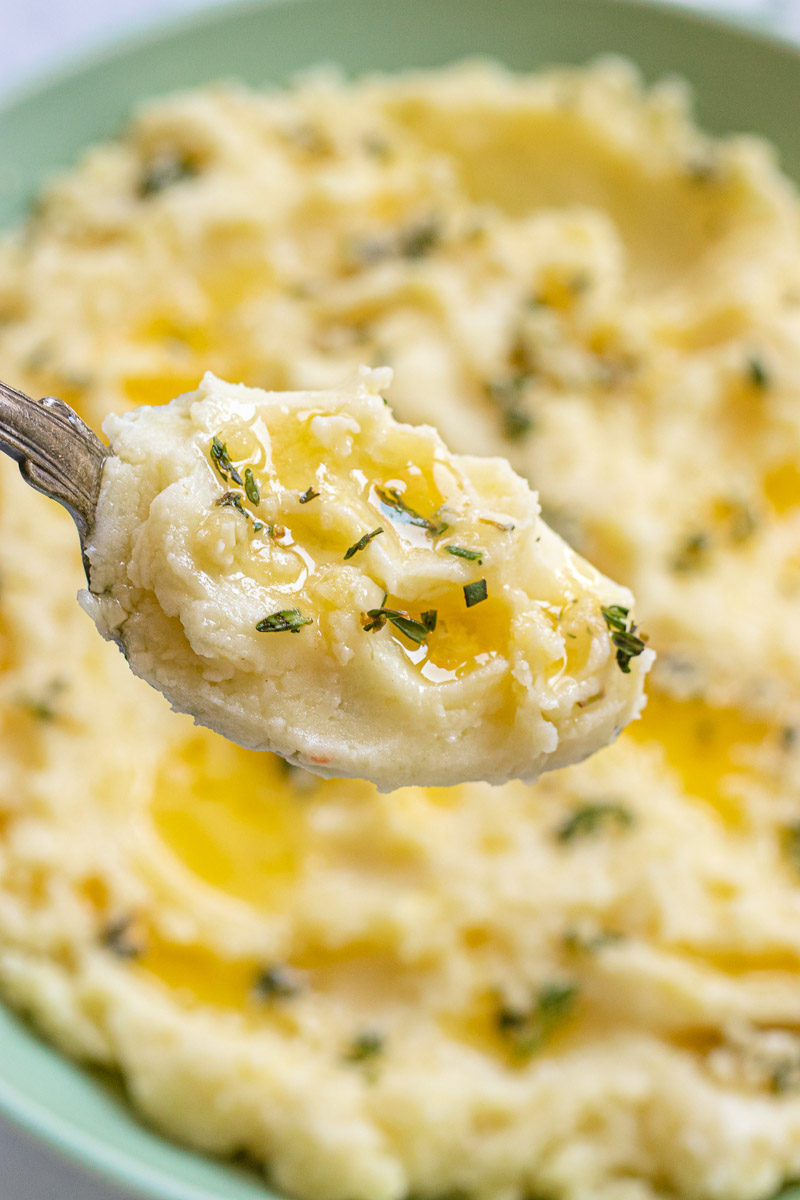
x,y
590,987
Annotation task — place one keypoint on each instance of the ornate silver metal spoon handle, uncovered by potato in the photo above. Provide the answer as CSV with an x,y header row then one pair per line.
x,y
58,454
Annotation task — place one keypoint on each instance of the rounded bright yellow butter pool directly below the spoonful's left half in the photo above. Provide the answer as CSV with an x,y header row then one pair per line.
x,y
232,818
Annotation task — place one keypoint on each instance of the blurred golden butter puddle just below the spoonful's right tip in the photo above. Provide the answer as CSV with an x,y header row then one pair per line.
x,y
707,747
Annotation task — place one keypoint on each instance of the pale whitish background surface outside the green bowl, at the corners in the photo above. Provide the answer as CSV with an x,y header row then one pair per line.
x,y
34,34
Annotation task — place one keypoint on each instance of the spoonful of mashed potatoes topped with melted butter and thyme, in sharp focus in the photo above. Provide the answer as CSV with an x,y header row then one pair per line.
x,y
446,633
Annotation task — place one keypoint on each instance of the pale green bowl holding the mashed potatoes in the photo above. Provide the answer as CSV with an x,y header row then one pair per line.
x,y
743,82
